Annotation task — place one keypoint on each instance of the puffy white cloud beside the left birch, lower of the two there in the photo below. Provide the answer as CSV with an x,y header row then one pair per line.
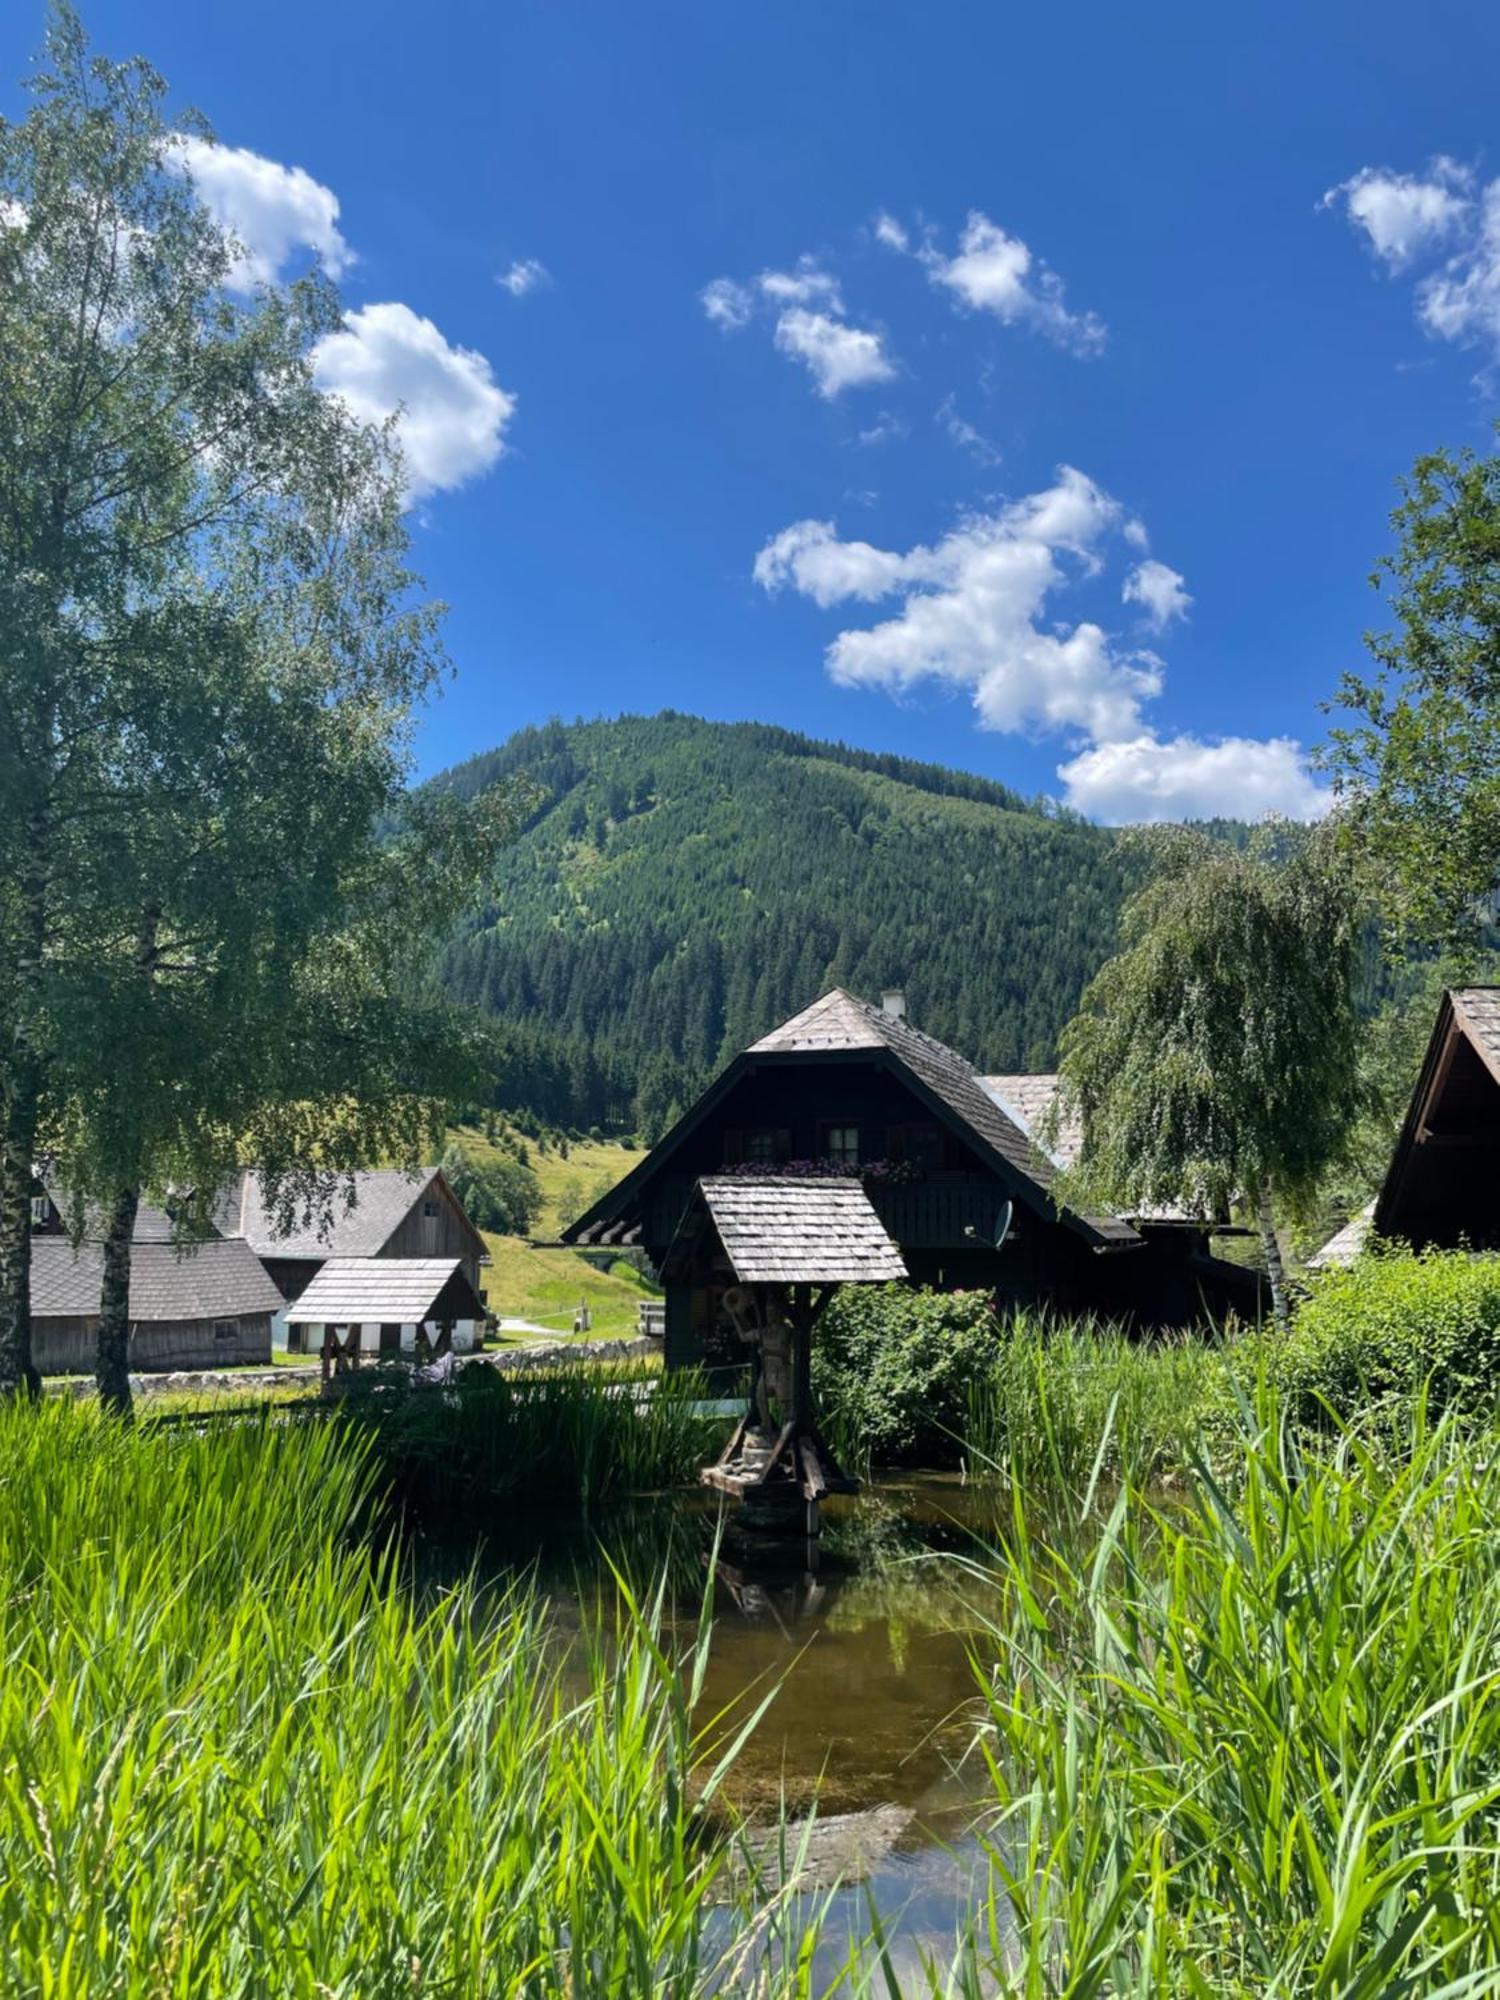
x,y
453,413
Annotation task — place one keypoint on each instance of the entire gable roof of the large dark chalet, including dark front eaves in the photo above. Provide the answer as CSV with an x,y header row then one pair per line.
x,y
839,1023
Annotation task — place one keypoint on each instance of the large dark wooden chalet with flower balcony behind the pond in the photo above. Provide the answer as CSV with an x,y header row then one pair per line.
x,y
949,1159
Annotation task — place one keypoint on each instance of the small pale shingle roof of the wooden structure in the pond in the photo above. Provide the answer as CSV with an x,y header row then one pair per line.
x,y
783,1231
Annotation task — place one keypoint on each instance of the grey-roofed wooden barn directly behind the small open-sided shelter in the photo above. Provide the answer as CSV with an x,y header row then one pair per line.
x,y
381,1215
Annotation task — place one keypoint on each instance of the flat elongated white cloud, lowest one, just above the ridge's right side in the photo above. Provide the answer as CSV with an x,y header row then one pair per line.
x,y
1187,779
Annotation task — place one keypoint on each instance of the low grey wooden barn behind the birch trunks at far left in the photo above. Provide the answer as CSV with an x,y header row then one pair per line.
x,y
199,1305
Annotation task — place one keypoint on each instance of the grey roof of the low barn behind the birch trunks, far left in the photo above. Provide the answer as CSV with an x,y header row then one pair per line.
x,y
211,1281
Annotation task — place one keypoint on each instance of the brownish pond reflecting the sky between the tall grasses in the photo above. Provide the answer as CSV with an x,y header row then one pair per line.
x,y
867,1639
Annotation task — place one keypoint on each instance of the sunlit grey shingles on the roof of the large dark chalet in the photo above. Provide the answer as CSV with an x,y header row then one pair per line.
x,y
841,1021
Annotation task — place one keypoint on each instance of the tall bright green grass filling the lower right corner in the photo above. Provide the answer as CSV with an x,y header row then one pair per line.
x,y
1253,1747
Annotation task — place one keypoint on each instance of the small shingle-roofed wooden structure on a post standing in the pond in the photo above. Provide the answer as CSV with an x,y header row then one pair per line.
x,y
775,1249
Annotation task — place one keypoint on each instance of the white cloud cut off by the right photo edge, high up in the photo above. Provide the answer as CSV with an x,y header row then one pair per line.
x,y
1413,219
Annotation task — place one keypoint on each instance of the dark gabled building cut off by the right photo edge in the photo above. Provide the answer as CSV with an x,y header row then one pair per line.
x,y
1443,1185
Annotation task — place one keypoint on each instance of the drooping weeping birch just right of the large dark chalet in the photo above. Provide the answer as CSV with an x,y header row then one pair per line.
x,y
1215,1063
